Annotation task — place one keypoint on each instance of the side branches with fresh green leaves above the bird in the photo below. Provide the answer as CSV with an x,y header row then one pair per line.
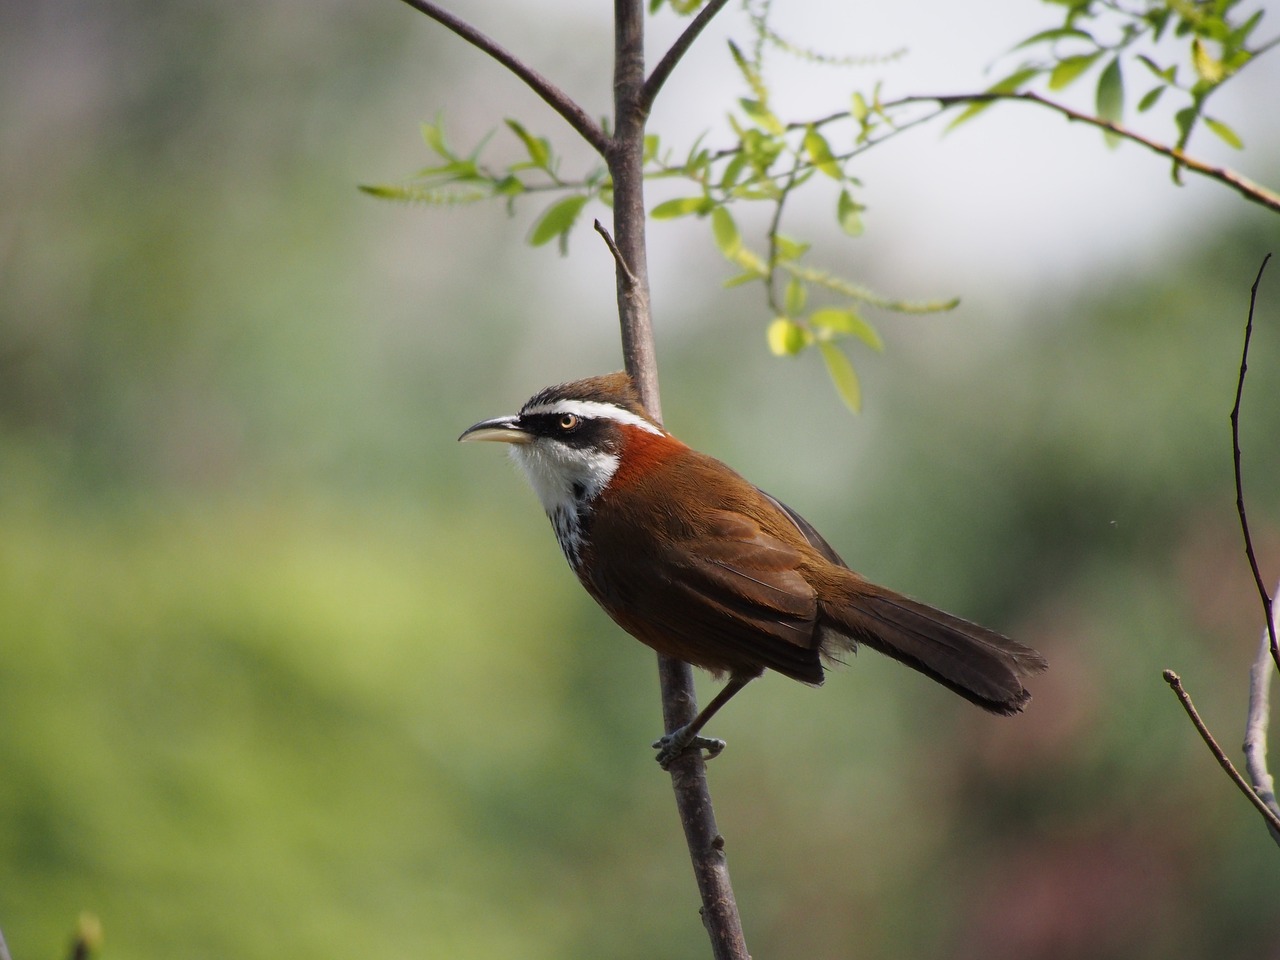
x,y
1186,49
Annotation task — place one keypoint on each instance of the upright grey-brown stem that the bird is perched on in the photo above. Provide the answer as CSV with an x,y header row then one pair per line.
x,y
679,702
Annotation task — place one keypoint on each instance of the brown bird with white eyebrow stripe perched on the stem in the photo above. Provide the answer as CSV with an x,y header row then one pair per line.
x,y
701,565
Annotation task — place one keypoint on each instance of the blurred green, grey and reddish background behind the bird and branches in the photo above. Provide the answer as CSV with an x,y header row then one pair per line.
x,y
286,673
